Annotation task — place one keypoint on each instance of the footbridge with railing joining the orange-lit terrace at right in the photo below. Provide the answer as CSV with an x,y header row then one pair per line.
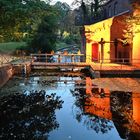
x,y
50,61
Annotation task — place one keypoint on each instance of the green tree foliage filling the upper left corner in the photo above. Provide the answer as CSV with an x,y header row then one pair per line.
x,y
19,18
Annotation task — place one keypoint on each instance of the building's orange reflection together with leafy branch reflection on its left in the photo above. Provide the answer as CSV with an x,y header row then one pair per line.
x,y
98,106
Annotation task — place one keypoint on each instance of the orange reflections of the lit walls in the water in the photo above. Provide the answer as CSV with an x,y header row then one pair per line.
x,y
101,106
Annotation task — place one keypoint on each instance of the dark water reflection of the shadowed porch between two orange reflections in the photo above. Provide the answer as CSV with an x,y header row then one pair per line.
x,y
121,107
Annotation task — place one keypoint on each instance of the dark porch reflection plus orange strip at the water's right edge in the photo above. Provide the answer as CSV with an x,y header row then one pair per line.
x,y
125,114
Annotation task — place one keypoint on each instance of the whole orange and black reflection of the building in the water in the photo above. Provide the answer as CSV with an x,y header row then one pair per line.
x,y
120,107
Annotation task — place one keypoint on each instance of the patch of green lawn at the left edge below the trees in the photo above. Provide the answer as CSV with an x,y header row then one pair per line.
x,y
10,47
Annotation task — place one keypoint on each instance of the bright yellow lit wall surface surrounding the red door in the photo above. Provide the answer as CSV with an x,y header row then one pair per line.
x,y
94,33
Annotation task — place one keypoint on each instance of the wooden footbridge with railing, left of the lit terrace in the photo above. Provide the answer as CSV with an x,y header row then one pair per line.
x,y
51,61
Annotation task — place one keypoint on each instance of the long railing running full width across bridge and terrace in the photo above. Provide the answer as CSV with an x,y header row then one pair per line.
x,y
106,64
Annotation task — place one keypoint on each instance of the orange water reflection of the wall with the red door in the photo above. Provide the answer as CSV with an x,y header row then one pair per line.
x,y
97,105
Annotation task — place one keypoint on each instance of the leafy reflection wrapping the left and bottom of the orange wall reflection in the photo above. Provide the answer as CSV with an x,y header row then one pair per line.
x,y
91,121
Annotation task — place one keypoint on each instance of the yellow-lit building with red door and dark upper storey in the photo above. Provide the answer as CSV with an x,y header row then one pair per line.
x,y
116,38
